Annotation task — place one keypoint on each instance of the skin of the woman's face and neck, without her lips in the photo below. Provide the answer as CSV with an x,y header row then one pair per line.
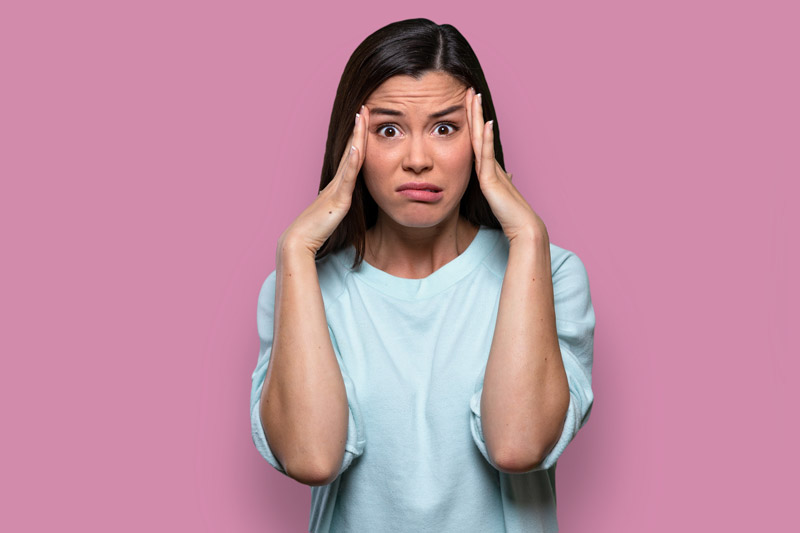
x,y
412,239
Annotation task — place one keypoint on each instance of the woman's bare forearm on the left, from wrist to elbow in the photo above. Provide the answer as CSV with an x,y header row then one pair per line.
x,y
304,403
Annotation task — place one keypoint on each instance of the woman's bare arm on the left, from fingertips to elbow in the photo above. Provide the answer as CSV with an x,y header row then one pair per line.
x,y
303,404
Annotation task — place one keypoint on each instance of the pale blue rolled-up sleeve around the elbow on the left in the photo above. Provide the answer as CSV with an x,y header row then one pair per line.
x,y
354,446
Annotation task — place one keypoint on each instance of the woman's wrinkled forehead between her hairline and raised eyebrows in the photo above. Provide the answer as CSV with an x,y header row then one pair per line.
x,y
433,89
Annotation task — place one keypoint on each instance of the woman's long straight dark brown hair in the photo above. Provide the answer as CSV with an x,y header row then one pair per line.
x,y
413,48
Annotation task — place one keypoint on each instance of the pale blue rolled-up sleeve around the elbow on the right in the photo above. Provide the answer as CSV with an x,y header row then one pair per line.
x,y
575,323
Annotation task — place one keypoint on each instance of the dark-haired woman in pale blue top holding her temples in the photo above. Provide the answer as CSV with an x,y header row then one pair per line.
x,y
426,352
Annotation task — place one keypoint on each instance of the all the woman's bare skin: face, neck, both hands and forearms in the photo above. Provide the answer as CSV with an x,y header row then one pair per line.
x,y
525,393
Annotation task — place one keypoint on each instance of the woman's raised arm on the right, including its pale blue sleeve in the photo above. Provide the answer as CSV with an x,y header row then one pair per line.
x,y
536,392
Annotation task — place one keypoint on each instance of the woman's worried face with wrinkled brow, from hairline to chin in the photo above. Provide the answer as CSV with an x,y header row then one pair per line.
x,y
418,133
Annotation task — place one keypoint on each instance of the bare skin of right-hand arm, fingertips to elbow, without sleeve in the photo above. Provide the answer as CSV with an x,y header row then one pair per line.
x,y
525,390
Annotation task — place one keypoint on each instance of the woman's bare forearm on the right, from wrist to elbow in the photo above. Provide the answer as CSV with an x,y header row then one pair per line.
x,y
525,390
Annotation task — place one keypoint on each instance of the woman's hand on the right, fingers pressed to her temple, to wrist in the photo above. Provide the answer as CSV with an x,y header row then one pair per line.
x,y
515,215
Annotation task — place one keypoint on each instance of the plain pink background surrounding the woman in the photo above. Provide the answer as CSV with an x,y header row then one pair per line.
x,y
152,153
